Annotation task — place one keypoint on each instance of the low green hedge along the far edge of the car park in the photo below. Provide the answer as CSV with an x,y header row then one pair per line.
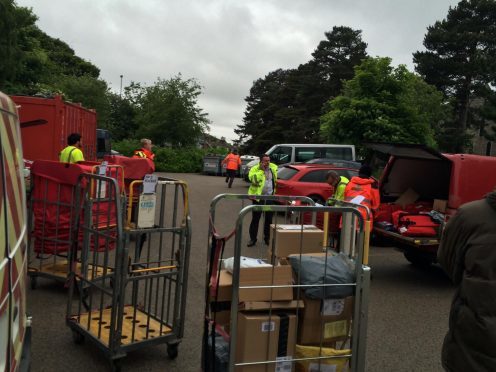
x,y
175,160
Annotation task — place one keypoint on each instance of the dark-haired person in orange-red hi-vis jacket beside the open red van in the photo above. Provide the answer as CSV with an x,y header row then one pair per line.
x,y
363,190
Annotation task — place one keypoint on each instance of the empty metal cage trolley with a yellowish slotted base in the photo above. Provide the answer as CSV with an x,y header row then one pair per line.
x,y
142,297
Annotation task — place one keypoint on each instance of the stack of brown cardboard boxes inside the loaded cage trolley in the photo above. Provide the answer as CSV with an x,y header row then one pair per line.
x,y
270,321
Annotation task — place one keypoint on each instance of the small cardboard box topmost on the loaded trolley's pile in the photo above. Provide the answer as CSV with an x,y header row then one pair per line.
x,y
291,239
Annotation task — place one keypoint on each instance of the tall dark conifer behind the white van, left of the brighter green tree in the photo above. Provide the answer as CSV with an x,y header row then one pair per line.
x,y
286,104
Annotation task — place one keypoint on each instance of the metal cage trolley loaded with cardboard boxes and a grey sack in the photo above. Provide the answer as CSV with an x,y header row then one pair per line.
x,y
303,309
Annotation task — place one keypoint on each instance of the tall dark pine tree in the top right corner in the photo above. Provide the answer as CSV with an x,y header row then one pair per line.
x,y
460,60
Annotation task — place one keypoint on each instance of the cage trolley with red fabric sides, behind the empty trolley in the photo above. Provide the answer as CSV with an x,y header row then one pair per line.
x,y
53,210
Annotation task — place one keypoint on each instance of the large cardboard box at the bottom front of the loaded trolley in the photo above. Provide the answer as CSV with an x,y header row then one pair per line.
x,y
260,339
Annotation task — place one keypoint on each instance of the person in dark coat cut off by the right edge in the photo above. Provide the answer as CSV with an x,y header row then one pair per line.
x,y
468,255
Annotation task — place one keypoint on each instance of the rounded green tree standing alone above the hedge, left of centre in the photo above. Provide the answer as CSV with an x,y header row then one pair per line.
x,y
168,111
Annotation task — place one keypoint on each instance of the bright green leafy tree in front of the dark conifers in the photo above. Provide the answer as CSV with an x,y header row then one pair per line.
x,y
383,104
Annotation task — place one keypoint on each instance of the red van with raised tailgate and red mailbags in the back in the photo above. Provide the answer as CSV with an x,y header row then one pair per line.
x,y
420,189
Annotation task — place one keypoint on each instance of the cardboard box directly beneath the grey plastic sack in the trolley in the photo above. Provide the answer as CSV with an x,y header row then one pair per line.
x,y
330,318
